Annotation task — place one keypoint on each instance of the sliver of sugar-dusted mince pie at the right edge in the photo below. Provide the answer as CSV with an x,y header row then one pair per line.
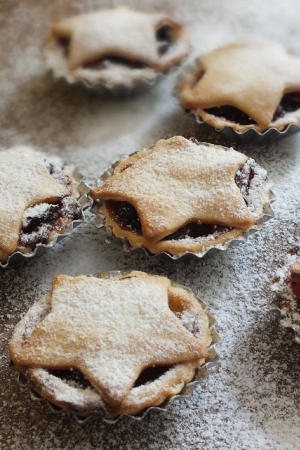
x,y
287,286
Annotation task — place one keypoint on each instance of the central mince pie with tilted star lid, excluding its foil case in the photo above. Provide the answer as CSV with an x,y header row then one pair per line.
x,y
180,196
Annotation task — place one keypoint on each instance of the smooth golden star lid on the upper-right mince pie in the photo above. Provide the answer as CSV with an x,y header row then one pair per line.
x,y
251,76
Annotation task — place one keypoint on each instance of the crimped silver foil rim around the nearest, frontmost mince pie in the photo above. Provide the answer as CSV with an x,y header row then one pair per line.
x,y
201,373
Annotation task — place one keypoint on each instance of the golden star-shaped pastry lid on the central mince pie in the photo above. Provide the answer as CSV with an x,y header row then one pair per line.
x,y
177,182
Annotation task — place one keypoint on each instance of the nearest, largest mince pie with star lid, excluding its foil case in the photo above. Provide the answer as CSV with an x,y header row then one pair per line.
x,y
112,345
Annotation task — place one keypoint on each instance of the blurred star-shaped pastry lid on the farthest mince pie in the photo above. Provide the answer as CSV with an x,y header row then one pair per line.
x,y
109,33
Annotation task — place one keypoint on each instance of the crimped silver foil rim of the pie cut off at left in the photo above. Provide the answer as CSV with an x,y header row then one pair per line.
x,y
85,202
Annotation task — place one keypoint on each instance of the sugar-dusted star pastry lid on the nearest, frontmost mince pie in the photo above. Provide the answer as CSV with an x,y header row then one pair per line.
x,y
110,330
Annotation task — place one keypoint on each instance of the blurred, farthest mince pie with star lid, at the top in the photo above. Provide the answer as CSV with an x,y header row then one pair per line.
x,y
115,47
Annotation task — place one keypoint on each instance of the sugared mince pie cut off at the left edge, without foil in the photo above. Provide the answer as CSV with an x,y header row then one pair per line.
x,y
38,200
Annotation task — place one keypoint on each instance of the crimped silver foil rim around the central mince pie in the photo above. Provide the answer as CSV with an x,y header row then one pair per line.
x,y
268,213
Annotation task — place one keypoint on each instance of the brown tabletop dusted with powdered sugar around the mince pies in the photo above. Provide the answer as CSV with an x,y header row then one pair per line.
x,y
252,400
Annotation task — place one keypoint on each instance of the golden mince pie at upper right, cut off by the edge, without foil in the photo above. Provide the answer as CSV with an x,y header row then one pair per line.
x,y
245,85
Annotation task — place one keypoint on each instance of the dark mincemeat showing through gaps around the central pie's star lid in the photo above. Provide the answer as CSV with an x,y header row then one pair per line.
x,y
127,218
